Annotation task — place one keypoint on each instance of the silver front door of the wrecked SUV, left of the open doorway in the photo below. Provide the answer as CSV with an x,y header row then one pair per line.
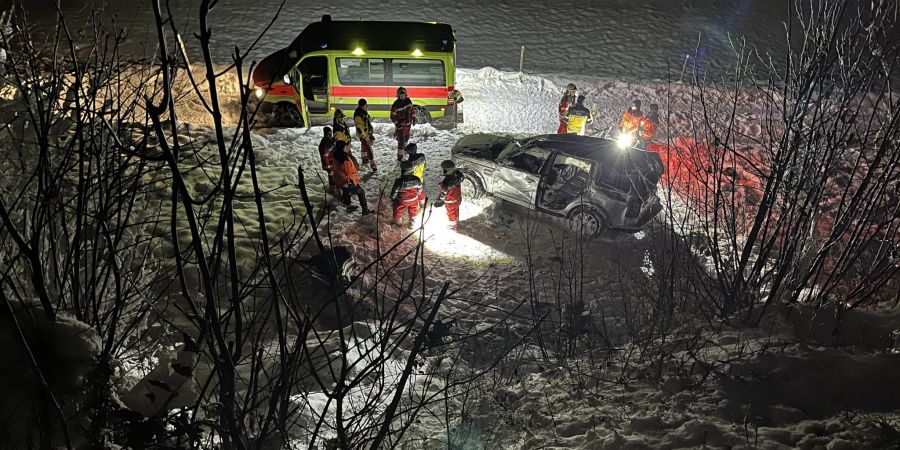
x,y
518,174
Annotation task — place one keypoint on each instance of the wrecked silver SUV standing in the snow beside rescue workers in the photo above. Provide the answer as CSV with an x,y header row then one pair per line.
x,y
593,182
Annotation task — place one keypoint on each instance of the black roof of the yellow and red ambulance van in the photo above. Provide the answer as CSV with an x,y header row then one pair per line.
x,y
374,35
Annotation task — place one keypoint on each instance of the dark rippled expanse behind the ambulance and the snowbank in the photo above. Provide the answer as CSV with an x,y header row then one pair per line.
x,y
613,38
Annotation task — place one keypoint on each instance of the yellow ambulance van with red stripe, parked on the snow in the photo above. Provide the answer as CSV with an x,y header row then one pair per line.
x,y
332,64
